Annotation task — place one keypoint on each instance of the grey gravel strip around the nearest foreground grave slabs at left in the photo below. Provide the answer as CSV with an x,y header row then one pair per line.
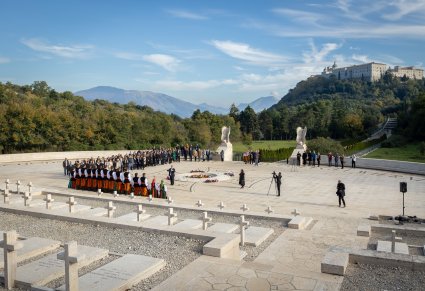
x,y
176,251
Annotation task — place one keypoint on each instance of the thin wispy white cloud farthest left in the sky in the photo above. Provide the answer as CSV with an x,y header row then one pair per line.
x,y
72,51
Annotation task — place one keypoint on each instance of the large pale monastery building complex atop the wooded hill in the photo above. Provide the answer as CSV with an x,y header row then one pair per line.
x,y
371,72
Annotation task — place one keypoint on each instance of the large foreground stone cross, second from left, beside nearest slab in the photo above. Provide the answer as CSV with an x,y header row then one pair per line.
x,y
71,265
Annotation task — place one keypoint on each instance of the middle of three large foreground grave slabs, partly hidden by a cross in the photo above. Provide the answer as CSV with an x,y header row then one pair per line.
x,y
49,268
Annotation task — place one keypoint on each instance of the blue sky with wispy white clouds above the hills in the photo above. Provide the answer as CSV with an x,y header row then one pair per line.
x,y
217,52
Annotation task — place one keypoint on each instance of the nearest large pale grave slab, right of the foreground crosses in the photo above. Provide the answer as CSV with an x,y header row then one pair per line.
x,y
120,274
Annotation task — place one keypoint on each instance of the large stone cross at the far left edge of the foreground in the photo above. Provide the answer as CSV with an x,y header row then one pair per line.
x,y
10,246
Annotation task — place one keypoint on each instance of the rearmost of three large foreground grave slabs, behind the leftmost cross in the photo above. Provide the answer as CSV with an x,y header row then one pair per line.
x,y
32,247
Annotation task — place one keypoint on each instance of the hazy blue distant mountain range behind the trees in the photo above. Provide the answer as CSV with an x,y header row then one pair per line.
x,y
165,103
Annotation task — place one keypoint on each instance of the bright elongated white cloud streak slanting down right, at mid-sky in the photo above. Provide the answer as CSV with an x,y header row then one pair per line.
x,y
246,53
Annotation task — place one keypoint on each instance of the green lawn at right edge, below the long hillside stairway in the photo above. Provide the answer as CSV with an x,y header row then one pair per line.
x,y
409,153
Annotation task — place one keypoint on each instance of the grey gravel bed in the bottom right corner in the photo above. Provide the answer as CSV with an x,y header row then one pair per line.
x,y
371,278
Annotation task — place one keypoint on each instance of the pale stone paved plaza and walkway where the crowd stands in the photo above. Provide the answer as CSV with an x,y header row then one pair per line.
x,y
293,260
